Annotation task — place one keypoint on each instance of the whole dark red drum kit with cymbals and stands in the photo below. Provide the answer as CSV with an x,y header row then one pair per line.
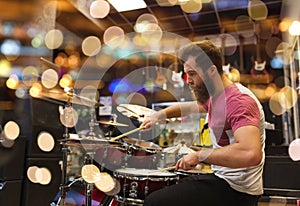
x,y
125,169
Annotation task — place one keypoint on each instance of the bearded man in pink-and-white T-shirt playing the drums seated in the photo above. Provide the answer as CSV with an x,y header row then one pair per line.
x,y
236,122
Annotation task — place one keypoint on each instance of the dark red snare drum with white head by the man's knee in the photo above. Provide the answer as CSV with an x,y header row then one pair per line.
x,y
136,184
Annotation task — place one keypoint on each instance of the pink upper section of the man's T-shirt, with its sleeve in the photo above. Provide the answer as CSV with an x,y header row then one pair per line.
x,y
231,110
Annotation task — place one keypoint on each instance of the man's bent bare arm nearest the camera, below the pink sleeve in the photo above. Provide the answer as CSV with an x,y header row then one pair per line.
x,y
245,152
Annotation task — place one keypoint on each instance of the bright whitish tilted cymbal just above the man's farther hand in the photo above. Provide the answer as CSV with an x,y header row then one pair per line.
x,y
135,111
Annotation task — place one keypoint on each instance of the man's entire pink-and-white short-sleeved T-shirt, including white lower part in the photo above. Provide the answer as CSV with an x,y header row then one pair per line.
x,y
237,106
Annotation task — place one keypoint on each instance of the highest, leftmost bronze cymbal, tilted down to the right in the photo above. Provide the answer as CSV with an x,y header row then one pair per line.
x,y
68,97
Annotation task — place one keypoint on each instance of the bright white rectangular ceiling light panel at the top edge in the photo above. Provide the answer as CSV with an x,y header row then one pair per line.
x,y
121,5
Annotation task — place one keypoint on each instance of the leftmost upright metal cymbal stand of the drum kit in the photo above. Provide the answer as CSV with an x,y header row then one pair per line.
x,y
64,179
